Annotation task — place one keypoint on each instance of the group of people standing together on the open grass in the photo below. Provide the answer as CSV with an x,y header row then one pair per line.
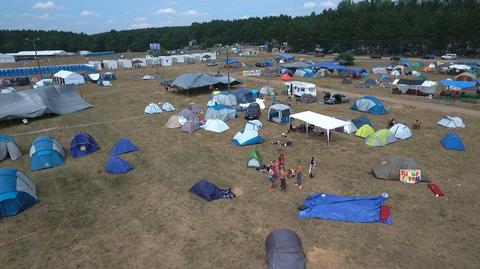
x,y
276,171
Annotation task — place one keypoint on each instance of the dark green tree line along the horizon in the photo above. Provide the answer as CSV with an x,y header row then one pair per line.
x,y
365,27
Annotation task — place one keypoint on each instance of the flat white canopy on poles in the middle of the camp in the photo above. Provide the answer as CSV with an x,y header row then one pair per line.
x,y
325,122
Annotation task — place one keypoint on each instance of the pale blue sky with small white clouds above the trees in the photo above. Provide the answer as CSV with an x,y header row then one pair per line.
x,y
94,16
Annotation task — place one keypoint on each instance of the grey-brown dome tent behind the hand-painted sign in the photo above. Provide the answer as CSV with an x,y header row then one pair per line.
x,y
391,169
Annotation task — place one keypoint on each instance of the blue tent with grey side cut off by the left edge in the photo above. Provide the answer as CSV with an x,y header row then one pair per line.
x,y
17,192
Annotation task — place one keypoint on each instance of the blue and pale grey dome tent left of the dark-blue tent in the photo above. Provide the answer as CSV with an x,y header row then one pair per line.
x,y
46,152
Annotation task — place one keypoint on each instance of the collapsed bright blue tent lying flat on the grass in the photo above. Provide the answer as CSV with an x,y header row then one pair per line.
x,y
345,208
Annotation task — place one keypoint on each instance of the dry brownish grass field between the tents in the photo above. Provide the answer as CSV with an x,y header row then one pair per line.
x,y
87,218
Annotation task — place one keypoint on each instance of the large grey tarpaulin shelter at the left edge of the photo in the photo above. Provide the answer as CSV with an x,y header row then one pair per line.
x,y
61,99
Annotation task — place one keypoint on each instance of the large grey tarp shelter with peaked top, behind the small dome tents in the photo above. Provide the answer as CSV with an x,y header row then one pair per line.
x,y
190,81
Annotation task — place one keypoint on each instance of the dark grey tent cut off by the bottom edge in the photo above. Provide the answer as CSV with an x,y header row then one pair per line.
x,y
284,250
